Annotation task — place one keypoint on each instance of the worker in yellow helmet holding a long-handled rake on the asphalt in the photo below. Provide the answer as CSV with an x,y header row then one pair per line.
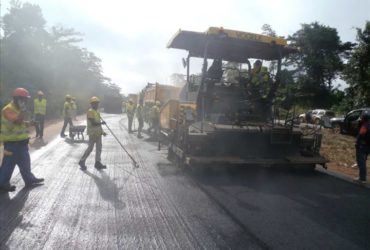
x,y
95,132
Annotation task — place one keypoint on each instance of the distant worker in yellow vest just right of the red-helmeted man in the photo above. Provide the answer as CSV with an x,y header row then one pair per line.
x,y
39,110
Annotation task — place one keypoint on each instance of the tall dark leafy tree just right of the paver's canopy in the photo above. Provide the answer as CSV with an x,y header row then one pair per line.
x,y
319,61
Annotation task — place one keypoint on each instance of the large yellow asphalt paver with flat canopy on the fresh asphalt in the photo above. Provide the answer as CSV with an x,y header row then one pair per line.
x,y
219,121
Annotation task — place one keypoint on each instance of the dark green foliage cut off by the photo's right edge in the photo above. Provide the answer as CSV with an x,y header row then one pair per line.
x,y
357,70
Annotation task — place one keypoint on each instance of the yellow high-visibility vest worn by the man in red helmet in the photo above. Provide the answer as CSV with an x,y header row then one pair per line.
x,y
11,132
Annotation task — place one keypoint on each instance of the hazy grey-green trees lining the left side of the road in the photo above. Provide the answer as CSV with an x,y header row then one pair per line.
x,y
36,58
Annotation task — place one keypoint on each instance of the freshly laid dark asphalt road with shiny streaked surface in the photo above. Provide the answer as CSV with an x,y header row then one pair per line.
x,y
159,206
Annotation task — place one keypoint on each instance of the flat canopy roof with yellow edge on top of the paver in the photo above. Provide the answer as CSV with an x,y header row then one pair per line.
x,y
230,45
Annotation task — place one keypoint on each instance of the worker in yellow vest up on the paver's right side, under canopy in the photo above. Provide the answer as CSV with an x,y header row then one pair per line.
x,y
260,81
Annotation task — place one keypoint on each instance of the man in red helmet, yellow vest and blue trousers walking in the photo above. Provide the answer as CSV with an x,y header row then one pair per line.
x,y
15,137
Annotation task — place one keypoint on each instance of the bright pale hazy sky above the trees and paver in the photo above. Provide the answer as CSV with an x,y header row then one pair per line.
x,y
131,36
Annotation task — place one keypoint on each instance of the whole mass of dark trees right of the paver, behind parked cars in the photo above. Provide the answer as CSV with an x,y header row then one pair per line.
x,y
308,78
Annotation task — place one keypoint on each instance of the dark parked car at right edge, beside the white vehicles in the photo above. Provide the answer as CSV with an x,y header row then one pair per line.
x,y
350,123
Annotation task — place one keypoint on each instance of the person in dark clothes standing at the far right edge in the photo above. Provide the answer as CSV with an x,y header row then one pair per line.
x,y
363,147
